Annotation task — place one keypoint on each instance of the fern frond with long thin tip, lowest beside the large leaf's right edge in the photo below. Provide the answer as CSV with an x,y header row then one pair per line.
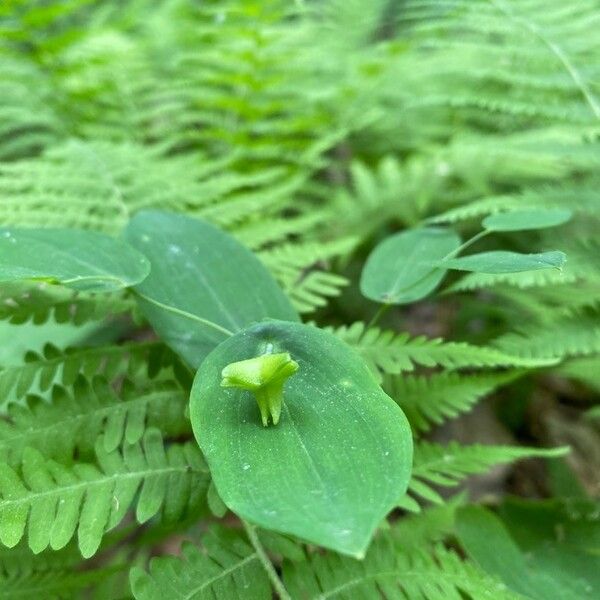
x,y
446,466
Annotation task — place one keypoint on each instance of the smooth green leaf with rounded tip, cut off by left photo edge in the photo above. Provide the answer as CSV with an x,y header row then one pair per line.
x,y
82,260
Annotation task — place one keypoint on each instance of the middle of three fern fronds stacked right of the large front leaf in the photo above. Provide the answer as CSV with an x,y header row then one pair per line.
x,y
429,401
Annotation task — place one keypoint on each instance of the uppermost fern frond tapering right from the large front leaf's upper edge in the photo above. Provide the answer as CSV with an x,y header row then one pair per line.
x,y
393,353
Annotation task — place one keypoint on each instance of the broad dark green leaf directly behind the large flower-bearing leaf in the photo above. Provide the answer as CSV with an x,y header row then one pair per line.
x,y
204,285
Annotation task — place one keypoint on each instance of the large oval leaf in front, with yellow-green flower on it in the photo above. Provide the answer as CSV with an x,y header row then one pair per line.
x,y
335,464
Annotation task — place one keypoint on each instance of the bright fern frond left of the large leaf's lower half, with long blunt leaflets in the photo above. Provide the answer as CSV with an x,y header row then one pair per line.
x,y
54,501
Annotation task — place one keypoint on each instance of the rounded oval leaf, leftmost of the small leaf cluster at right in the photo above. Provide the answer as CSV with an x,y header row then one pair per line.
x,y
406,267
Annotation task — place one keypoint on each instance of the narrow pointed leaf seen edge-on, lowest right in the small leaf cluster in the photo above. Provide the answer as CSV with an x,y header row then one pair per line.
x,y
501,261
